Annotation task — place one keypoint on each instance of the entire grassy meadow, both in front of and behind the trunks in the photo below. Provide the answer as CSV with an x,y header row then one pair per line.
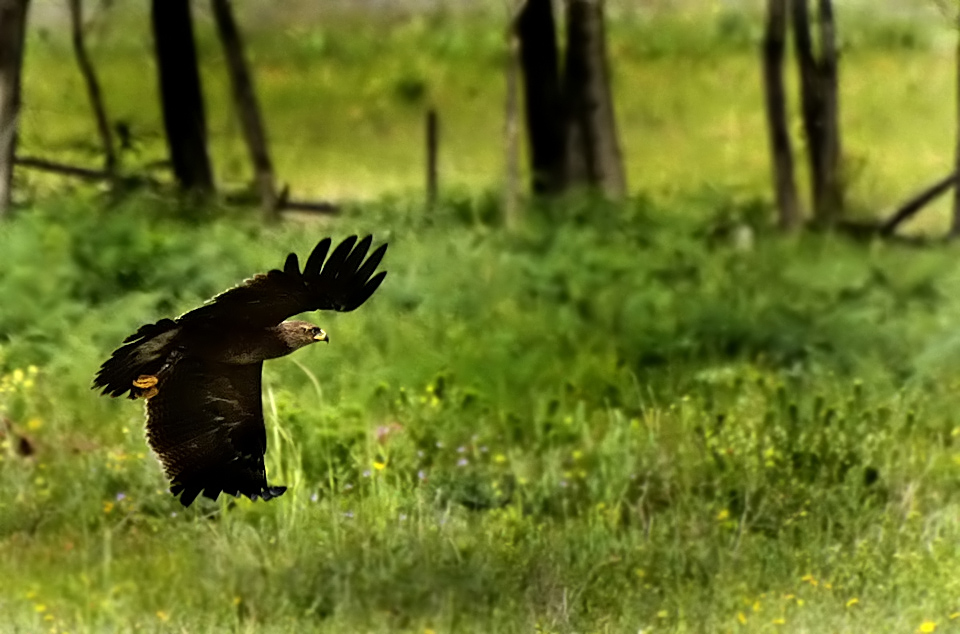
x,y
612,418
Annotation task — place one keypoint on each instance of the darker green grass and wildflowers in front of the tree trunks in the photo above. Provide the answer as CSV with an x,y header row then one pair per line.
x,y
614,419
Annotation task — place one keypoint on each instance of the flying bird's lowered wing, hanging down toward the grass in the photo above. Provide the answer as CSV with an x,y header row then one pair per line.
x,y
205,423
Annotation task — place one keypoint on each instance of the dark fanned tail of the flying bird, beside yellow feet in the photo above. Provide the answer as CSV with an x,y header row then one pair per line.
x,y
142,355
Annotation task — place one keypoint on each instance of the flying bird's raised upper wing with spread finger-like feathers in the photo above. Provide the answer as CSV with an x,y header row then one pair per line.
x,y
341,282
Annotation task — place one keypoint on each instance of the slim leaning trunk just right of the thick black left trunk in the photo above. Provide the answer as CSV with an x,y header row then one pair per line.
x,y
245,101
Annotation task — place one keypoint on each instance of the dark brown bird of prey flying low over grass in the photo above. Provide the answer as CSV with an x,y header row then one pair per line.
x,y
200,372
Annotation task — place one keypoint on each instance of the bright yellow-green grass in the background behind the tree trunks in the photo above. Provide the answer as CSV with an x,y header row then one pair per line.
x,y
345,94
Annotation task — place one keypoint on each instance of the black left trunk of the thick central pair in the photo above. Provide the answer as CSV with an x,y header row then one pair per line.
x,y
539,61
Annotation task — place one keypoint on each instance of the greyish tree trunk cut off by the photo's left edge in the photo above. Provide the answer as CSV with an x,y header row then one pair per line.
x,y
13,25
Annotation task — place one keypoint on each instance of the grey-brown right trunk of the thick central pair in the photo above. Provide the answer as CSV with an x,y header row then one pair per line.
x,y
593,150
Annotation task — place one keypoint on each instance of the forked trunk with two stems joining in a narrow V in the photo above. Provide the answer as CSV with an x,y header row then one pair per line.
x,y
819,94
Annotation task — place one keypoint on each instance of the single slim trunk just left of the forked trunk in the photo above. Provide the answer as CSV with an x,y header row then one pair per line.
x,y
781,152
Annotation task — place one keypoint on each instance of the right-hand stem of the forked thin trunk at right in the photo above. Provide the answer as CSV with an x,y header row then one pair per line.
x,y
829,87
